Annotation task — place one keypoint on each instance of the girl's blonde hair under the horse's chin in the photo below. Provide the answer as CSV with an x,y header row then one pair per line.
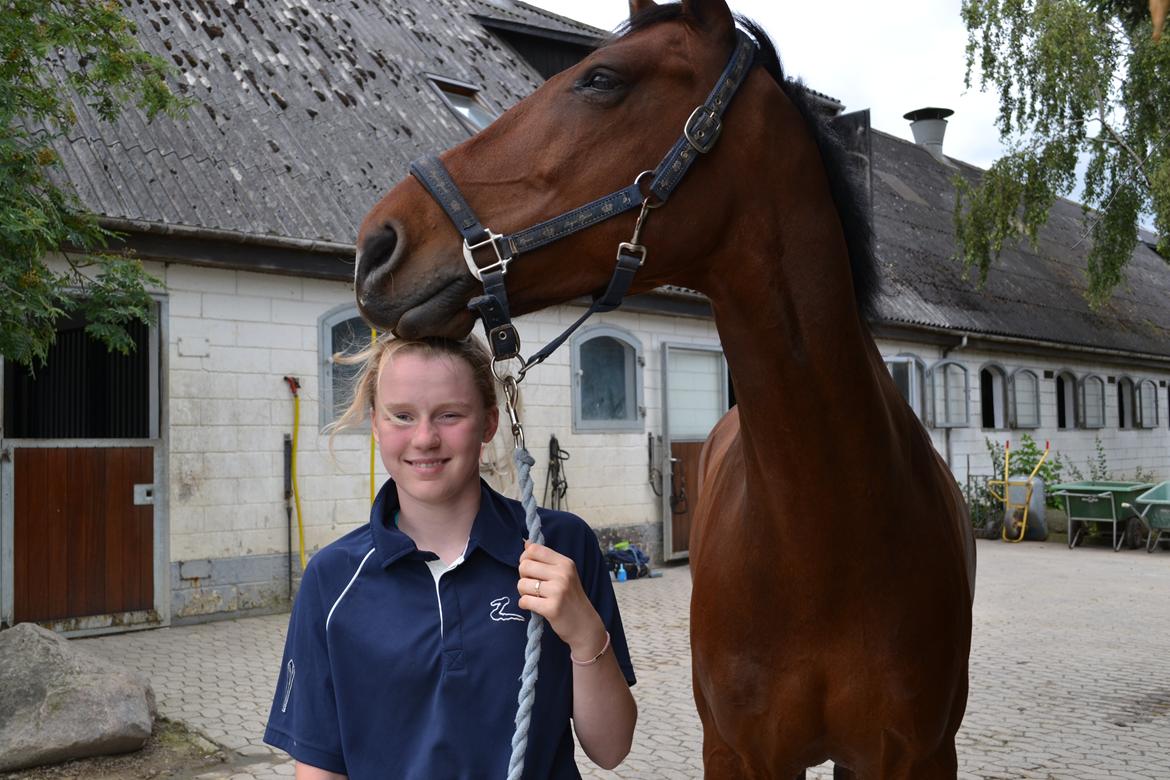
x,y
382,350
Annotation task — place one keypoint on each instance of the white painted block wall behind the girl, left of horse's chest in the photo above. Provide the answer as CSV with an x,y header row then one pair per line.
x,y
232,339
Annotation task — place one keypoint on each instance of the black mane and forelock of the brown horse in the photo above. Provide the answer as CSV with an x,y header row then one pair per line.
x,y
848,196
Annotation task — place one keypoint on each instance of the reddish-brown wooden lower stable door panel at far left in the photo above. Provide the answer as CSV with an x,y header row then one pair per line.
x,y
81,544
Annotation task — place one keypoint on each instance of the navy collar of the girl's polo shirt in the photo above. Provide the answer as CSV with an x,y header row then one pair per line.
x,y
499,529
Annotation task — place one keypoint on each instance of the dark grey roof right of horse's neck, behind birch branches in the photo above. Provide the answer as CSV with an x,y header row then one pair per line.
x,y
1033,293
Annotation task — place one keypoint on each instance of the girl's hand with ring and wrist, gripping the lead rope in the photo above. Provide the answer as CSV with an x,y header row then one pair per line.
x,y
549,586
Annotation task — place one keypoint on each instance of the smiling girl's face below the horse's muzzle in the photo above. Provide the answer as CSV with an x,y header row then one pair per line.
x,y
431,424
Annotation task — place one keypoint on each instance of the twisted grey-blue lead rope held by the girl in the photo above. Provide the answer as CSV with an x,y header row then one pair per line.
x,y
525,463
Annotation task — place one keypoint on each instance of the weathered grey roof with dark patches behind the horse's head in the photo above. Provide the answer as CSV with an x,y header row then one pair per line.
x,y
306,113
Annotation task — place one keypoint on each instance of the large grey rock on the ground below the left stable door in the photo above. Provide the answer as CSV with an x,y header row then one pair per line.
x,y
59,702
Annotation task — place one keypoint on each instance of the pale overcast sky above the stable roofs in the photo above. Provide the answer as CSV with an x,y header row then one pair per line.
x,y
884,57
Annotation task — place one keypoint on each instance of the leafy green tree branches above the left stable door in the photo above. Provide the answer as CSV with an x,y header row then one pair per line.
x,y
53,53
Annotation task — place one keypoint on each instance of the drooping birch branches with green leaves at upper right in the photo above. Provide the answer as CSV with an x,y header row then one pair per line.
x,y
1078,80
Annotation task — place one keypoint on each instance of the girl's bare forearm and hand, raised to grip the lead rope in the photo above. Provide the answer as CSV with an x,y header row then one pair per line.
x,y
604,710
